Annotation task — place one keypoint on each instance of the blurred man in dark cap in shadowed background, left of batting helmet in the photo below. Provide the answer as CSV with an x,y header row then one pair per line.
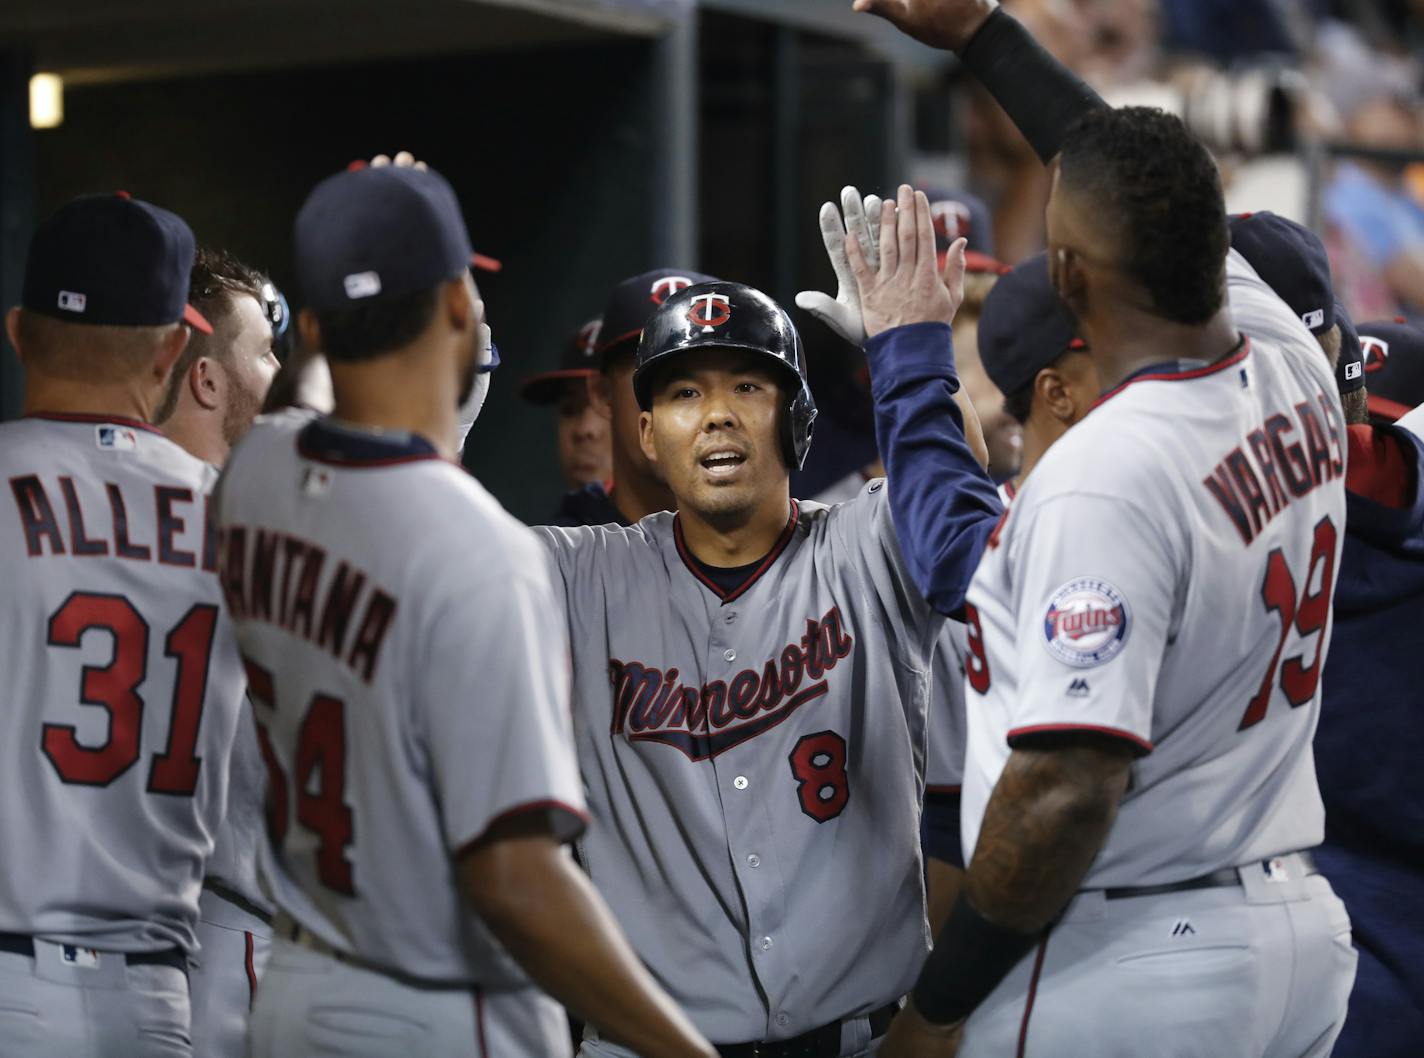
x,y
585,446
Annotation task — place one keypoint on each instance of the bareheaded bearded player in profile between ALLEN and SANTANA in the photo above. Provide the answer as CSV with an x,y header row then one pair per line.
x,y
223,382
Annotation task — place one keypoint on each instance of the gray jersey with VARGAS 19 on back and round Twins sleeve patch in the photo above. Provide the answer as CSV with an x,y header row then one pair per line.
x,y
1166,576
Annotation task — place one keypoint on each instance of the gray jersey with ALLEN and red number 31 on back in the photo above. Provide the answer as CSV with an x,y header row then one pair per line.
x,y
122,684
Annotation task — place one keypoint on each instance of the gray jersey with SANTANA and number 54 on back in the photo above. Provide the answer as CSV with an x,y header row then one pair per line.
x,y
404,649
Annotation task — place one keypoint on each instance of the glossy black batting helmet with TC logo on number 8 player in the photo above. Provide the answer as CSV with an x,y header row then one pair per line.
x,y
721,315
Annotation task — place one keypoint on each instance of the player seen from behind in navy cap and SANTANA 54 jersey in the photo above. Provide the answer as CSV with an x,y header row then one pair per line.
x,y
411,706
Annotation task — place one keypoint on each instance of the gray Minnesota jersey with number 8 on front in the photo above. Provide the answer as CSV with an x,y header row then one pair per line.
x,y
753,760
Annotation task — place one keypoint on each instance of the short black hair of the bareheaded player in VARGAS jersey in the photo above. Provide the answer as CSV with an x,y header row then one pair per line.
x,y
1163,192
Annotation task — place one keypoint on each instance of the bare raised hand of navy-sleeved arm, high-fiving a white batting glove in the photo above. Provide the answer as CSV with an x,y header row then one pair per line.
x,y
908,287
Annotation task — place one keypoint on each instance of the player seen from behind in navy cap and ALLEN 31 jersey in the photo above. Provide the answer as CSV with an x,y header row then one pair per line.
x,y
123,686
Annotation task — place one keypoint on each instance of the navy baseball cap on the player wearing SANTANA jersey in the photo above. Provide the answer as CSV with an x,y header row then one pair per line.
x,y
378,233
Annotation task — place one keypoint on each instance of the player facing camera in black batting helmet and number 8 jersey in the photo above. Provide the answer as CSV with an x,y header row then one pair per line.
x,y
750,697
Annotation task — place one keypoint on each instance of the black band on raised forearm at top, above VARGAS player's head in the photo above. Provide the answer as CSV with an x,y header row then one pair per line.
x,y
1040,96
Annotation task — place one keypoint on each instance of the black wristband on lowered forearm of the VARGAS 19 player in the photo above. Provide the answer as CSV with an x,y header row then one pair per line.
x,y
970,958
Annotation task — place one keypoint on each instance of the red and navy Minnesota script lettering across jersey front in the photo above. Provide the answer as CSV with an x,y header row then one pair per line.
x,y
651,706
